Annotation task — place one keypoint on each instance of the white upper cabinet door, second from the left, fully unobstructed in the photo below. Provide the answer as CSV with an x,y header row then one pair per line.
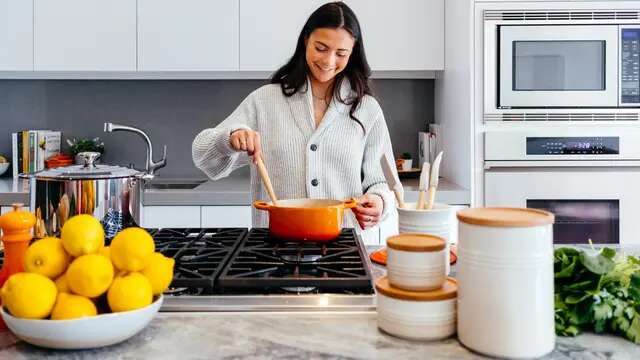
x,y
188,35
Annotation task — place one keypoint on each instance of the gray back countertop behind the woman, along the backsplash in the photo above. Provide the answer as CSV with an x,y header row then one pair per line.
x,y
230,191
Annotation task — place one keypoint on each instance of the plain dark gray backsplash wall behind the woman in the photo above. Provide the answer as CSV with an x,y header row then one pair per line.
x,y
172,113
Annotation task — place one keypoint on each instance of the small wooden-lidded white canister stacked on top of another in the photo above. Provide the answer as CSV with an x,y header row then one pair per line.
x,y
416,262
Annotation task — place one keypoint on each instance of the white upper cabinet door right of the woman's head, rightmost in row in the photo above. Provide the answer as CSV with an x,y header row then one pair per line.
x,y
402,34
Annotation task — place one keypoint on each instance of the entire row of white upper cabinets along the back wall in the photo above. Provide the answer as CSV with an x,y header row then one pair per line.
x,y
100,37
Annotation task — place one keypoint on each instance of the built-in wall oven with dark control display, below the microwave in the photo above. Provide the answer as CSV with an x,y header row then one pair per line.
x,y
588,177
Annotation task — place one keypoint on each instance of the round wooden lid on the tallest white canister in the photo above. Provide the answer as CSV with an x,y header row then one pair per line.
x,y
505,217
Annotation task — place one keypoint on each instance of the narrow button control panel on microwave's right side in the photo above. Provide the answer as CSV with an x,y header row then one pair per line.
x,y
630,66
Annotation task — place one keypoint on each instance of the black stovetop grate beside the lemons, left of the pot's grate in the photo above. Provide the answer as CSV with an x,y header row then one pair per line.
x,y
200,254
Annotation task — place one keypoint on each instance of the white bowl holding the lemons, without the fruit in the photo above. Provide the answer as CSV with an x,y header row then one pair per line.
x,y
83,333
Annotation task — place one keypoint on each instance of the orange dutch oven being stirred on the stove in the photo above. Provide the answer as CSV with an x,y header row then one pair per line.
x,y
306,219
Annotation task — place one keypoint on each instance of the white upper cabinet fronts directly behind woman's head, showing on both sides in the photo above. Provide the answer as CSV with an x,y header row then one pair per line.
x,y
399,35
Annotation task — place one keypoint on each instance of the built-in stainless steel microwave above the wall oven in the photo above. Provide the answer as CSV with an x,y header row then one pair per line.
x,y
560,65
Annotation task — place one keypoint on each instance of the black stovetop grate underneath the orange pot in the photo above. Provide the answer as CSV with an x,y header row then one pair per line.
x,y
263,262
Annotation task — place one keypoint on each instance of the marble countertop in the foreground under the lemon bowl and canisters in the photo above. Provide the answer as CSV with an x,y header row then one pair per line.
x,y
297,335
